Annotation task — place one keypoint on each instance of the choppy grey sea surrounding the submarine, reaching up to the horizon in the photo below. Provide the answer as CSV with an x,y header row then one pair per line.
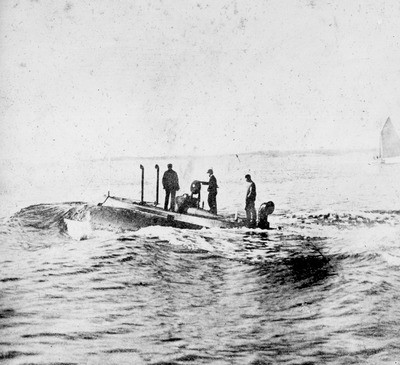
x,y
322,288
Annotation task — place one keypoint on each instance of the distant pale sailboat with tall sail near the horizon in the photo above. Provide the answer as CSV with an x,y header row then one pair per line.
x,y
389,144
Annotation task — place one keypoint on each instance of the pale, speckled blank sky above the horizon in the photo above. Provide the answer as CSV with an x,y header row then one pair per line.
x,y
89,79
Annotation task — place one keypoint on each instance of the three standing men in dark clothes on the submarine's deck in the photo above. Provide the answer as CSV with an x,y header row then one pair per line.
x,y
170,183
